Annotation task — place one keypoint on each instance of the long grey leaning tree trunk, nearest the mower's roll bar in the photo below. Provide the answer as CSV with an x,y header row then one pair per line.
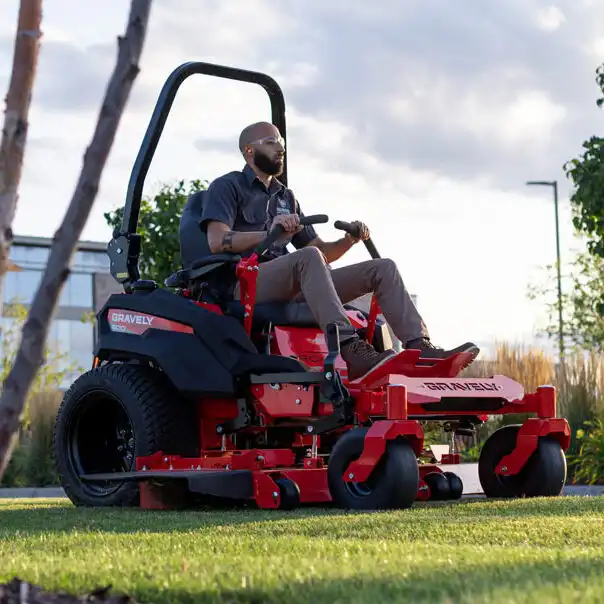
x,y
29,357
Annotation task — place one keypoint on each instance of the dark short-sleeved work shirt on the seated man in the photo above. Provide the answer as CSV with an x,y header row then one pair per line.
x,y
241,200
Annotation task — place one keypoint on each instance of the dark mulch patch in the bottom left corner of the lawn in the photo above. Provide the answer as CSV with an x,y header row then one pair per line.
x,y
22,592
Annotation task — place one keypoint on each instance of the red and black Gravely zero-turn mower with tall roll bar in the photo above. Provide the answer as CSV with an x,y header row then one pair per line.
x,y
196,397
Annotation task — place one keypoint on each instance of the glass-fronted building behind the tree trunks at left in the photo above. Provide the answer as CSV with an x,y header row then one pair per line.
x,y
71,336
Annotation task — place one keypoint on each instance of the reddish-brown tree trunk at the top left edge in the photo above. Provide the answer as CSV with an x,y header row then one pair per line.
x,y
14,130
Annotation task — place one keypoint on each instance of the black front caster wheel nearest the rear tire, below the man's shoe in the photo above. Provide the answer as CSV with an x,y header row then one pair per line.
x,y
392,484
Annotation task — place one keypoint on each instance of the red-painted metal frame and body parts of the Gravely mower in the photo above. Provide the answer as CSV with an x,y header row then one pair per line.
x,y
394,398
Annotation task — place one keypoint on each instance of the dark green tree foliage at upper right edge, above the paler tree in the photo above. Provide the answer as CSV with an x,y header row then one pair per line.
x,y
587,175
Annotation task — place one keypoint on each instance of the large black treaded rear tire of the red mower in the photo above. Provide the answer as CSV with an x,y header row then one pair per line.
x,y
111,415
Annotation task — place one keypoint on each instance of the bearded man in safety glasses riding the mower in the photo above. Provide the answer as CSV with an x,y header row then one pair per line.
x,y
241,206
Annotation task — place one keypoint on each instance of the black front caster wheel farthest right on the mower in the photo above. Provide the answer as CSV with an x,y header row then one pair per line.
x,y
544,474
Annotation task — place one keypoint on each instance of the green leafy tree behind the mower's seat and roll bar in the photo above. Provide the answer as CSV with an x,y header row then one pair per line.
x,y
158,223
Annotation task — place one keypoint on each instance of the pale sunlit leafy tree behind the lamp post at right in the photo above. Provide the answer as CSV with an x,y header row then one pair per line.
x,y
582,308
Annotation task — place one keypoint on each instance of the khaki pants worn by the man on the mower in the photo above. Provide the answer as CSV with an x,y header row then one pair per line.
x,y
304,276
